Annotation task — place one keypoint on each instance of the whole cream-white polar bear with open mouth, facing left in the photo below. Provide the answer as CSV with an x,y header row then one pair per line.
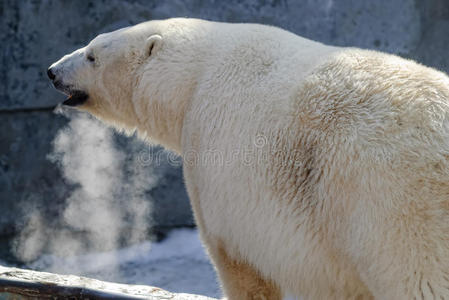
x,y
314,171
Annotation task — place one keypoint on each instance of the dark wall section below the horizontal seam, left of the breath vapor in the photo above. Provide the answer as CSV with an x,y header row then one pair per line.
x,y
27,179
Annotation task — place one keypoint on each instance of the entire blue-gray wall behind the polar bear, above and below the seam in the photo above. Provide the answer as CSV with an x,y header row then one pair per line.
x,y
35,33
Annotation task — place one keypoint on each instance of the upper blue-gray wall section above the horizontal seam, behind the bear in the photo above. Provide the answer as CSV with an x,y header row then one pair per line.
x,y
36,33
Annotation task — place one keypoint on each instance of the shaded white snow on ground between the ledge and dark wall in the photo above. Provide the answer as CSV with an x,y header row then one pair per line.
x,y
177,264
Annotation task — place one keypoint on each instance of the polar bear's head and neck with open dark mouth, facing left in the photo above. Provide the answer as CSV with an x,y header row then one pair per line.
x,y
136,78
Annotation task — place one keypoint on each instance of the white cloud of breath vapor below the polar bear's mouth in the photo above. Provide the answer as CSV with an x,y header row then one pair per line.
x,y
107,207
